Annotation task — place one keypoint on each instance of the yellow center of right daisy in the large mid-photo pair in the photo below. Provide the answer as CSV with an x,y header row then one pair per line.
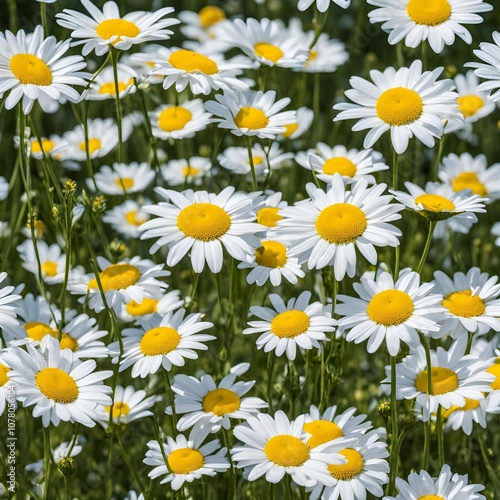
x,y
341,223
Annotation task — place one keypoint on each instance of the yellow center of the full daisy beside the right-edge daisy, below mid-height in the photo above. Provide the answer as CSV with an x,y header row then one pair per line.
x,y
390,308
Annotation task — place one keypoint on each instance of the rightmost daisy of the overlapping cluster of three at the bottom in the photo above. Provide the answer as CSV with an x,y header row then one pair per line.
x,y
365,470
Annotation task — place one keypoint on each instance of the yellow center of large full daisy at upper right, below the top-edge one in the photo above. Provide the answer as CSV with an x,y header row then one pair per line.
x,y
399,106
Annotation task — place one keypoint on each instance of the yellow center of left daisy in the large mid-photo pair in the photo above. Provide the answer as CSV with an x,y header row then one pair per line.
x,y
203,221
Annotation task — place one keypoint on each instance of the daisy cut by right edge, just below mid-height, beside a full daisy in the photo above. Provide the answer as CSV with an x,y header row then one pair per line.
x,y
471,301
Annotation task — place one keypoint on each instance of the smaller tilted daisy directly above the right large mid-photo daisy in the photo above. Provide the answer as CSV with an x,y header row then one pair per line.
x,y
351,164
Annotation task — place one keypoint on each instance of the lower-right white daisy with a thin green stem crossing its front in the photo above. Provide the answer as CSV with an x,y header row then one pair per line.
x,y
454,375
